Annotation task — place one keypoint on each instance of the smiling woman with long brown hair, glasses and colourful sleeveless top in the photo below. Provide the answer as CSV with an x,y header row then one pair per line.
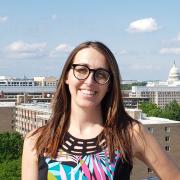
x,y
90,135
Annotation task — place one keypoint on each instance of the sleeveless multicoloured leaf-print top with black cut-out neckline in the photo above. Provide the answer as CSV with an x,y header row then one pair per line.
x,y
83,159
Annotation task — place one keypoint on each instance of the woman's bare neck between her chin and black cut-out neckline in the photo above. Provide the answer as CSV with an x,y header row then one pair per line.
x,y
85,121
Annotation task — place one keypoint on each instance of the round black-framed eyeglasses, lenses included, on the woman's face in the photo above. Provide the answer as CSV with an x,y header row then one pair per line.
x,y
81,72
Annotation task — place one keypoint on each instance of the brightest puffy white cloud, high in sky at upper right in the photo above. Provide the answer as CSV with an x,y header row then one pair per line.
x,y
143,25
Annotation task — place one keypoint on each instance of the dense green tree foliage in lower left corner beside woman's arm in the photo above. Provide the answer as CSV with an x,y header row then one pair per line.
x,y
10,155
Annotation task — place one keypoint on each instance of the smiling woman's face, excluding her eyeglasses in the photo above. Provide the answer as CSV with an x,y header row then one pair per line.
x,y
87,93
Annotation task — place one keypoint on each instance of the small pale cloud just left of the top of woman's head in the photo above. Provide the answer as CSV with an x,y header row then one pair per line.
x,y
61,48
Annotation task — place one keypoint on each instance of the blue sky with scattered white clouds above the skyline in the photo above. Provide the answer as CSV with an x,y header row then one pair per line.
x,y
36,36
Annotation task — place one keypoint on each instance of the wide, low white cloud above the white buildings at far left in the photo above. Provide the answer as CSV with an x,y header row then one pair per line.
x,y
20,49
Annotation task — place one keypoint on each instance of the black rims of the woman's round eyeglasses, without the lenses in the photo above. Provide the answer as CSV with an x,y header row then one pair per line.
x,y
73,66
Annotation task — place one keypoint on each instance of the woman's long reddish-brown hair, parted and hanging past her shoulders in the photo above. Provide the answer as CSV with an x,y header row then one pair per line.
x,y
117,123
